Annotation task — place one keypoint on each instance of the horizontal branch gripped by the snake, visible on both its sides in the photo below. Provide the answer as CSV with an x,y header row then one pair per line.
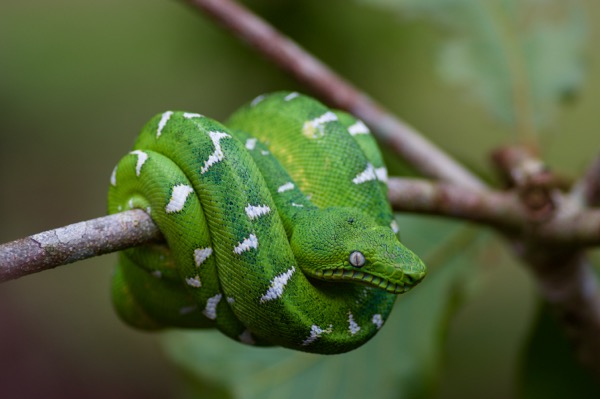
x,y
501,210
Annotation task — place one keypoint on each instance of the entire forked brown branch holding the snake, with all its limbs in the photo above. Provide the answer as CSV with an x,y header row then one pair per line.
x,y
535,216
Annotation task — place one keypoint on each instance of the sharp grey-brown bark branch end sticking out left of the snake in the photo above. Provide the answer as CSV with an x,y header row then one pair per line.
x,y
76,242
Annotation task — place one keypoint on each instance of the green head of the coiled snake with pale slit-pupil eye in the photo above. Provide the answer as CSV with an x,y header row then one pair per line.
x,y
342,244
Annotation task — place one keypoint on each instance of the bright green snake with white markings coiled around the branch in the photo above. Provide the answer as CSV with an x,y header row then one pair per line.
x,y
276,225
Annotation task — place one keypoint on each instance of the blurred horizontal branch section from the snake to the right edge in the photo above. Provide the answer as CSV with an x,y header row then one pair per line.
x,y
571,226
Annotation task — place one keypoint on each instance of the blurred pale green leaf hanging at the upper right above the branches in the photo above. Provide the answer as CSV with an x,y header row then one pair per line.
x,y
519,58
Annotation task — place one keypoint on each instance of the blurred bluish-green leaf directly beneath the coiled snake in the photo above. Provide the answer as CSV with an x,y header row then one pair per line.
x,y
403,360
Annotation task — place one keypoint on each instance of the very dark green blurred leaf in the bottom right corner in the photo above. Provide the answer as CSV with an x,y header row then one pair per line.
x,y
550,369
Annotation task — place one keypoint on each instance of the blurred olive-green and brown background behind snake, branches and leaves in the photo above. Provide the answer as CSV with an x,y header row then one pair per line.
x,y
79,79
